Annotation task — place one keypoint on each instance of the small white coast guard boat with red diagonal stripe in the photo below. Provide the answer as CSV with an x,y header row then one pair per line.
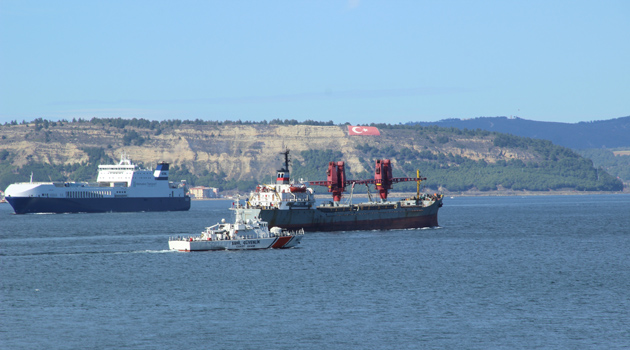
x,y
241,235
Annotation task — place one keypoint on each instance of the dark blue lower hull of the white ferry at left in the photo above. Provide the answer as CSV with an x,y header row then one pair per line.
x,y
29,205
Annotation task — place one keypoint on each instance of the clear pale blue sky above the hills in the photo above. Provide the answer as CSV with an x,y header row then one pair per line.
x,y
356,61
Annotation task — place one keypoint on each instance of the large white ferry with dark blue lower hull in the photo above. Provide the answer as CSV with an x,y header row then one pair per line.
x,y
122,187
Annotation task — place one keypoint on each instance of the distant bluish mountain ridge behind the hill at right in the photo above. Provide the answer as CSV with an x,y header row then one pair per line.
x,y
613,133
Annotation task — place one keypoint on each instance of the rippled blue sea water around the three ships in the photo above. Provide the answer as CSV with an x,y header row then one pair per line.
x,y
532,272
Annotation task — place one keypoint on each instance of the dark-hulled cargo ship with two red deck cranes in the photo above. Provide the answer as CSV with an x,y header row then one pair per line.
x,y
291,204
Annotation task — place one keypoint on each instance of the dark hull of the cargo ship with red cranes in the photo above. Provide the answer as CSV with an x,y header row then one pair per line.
x,y
352,219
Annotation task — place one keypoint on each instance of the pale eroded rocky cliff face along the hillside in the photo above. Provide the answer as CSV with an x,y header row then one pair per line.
x,y
241,151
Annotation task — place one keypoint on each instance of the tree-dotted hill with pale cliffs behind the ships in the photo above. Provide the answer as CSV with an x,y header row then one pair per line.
x,y
236,155
